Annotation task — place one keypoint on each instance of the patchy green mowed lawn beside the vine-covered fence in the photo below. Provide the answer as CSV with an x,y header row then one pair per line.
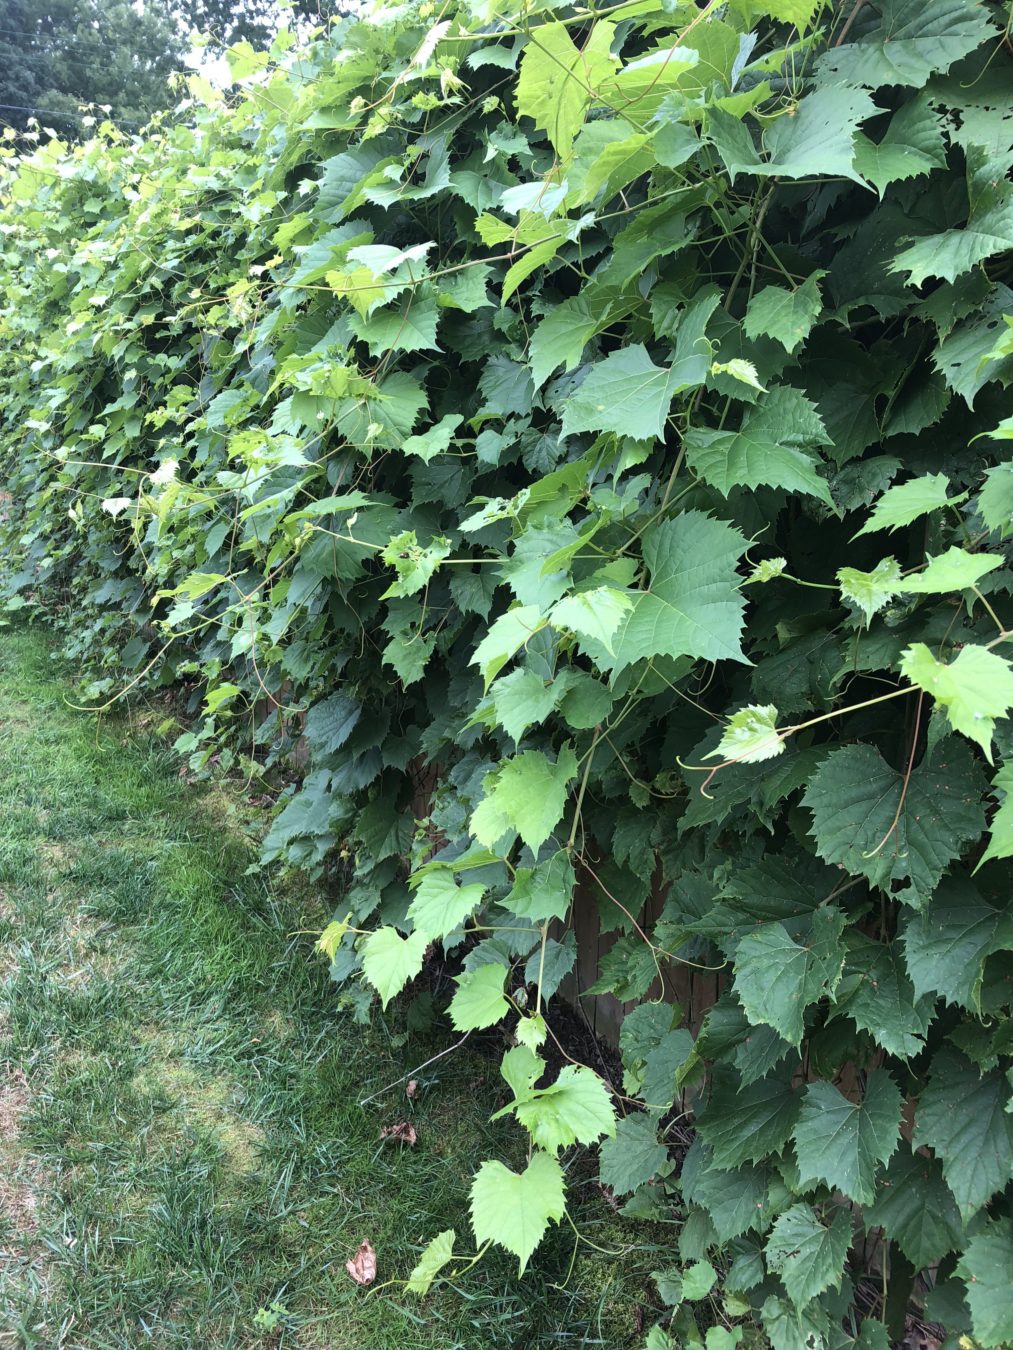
x,y
182,1135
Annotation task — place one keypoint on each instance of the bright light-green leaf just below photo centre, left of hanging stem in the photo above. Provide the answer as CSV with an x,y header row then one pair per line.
x,y
526,794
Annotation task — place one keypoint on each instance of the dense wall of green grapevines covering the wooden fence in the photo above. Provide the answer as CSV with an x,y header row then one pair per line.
x,y
587,434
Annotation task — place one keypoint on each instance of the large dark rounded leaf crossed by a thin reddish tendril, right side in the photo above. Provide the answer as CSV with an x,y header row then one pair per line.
x,y
866,823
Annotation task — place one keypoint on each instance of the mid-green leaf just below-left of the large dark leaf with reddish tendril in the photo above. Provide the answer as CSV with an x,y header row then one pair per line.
x,y
777,979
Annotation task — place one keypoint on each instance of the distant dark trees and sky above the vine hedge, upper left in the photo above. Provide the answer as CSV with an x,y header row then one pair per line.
x,y
60,55
